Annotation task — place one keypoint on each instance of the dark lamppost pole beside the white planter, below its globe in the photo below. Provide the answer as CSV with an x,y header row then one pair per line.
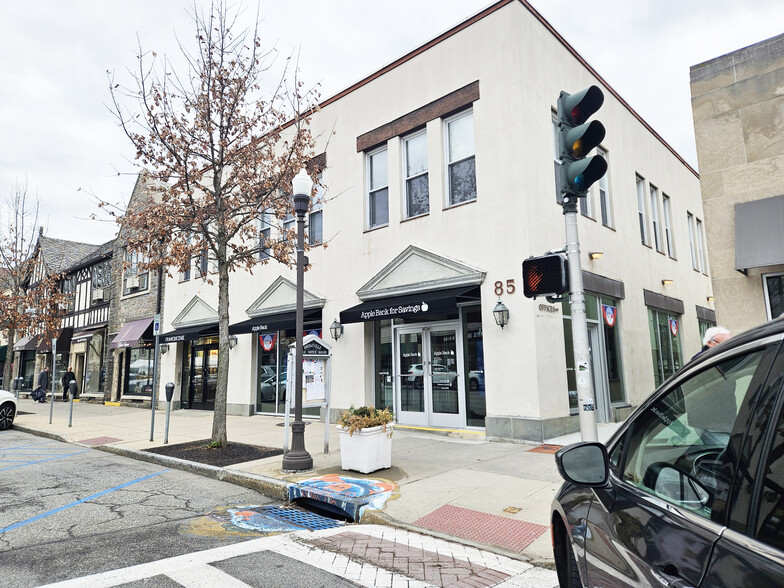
x,y
298,458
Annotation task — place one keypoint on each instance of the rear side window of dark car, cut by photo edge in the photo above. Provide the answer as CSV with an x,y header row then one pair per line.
x,y
770,519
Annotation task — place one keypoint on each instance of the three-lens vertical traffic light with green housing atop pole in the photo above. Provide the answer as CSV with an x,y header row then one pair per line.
x,y
577,138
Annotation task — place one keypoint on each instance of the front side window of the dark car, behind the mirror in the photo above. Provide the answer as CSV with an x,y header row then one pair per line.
x,y
676,449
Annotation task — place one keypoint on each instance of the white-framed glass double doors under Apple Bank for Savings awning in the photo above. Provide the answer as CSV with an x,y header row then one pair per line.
x,y
429,376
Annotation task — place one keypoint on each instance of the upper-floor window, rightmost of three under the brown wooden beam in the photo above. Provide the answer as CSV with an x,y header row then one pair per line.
x,y
461,164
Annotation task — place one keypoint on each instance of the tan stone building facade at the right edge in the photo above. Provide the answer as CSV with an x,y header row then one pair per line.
x,y
739,122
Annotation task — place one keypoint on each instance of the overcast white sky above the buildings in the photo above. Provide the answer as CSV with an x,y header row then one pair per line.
x,y
56,131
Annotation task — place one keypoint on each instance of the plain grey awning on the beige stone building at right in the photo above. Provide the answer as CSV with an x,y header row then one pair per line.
x,y
759,240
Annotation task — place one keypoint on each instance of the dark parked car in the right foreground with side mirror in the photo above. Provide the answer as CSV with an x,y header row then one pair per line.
x,y
690,489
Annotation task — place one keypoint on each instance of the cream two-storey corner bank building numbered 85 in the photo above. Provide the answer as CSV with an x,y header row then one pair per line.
x,y
438,180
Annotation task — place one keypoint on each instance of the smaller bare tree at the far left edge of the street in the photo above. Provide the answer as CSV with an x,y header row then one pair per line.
x,y
30,302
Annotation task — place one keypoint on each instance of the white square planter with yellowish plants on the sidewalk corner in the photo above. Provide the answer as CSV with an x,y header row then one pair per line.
x,y
366,439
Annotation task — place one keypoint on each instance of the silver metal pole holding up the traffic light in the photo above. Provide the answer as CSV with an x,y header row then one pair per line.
x,y
582,354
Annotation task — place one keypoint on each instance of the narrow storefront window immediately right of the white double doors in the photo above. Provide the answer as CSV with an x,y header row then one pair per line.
x,y
475,363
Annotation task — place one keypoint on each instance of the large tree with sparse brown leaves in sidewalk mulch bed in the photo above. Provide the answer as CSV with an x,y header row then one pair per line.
x,y
222,157
